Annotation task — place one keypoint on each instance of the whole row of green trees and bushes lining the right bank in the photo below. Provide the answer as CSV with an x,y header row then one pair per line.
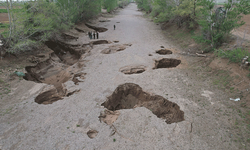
x,y
216,23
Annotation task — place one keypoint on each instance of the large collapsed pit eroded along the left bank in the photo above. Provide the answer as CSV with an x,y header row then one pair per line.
x,y
61,66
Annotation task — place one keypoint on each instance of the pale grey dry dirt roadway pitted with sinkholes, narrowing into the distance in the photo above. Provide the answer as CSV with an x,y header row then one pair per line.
x,y
76,122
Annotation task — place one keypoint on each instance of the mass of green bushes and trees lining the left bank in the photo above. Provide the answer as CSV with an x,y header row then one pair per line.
x,y
34,22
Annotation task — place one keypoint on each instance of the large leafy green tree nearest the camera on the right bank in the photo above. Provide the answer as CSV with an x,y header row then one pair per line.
x,y
217,24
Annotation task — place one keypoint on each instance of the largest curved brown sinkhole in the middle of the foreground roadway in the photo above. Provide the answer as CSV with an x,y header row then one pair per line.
x,y
129,95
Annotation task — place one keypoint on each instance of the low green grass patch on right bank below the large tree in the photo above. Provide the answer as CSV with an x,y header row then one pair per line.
x,y
235,55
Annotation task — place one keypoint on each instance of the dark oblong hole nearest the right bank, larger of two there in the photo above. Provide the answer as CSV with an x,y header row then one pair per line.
x,y
166,63
